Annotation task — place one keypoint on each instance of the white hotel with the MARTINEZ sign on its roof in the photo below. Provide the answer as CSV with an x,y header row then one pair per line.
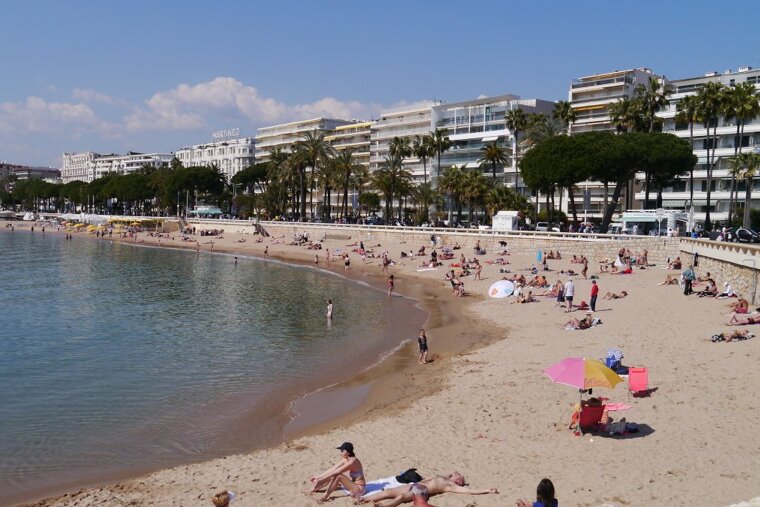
x,y
229,155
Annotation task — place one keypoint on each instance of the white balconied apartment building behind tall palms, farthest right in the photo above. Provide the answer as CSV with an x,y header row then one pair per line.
x,y
676,197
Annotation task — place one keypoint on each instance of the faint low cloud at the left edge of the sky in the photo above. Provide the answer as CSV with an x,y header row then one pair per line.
x,y
36,115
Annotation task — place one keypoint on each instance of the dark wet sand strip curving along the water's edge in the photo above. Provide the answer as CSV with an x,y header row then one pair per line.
x,y
380,382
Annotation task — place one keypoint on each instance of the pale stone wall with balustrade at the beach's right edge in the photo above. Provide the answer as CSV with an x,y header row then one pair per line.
x,y
735,263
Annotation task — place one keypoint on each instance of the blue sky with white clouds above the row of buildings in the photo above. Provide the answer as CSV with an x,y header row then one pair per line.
x,y
154,76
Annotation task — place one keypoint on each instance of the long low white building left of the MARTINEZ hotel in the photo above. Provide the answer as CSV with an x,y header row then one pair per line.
x,y
88,166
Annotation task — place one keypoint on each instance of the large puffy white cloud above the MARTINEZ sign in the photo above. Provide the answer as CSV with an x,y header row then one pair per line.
x,y
190,107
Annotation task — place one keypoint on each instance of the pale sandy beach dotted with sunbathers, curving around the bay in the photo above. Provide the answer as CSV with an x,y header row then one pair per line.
x,y
485,408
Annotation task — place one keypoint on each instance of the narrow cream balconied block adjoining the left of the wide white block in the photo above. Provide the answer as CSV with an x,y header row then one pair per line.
x,y
406,122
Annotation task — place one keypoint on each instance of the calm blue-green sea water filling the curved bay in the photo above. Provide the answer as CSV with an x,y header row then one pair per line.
x,y
116,359
